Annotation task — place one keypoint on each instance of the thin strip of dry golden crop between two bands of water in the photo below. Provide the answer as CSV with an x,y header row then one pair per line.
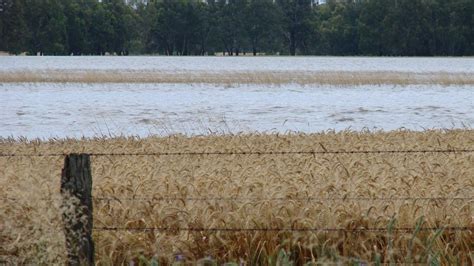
x,y
224,77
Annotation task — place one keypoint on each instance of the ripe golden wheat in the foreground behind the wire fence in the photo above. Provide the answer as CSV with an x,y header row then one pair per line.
x,y
30,228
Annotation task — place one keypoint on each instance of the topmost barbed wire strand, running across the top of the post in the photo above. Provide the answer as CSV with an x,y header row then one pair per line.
x,y
243,153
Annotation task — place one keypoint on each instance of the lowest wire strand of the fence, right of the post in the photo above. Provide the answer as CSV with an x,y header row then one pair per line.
x,y
198,229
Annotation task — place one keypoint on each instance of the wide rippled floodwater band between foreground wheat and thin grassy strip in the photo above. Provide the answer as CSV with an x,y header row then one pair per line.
x,y
76,110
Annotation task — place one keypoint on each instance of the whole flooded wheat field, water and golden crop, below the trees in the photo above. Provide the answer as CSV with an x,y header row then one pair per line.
x,y
344,196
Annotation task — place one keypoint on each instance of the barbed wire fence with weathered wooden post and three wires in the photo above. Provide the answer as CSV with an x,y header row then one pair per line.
x,y
76,180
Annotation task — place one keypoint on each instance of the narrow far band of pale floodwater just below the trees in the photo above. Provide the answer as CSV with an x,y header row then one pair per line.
x,y
216,64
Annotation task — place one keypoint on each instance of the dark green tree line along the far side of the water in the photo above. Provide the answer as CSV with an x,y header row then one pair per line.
x,y
235,27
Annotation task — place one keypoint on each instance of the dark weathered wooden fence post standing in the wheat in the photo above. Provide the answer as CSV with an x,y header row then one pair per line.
x,y
76,189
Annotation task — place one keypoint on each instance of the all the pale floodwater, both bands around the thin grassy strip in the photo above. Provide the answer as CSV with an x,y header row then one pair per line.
x,y
44,110
